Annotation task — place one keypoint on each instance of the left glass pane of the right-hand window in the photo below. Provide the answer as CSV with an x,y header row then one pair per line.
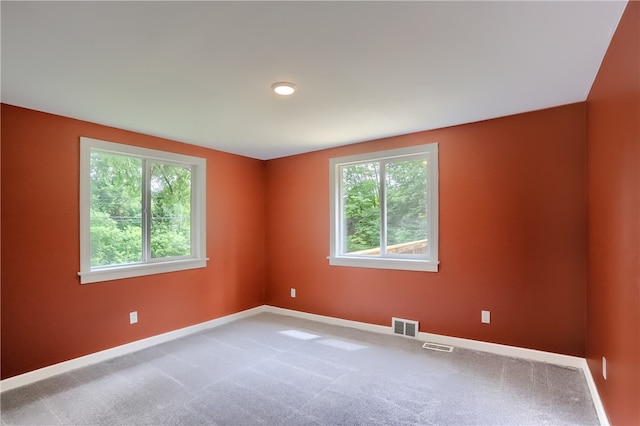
x,y
361,208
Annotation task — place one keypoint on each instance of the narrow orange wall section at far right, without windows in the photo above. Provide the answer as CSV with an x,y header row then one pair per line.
x,y
613,120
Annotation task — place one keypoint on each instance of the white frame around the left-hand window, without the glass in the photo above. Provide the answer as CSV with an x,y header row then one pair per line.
x,y
198,258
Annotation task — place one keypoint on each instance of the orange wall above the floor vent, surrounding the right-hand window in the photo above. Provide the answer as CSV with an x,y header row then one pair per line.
x,y
512,236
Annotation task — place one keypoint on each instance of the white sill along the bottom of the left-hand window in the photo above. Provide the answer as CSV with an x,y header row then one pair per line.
x,y
138,270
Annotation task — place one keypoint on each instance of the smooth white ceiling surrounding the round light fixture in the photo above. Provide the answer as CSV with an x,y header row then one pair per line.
x,y
200,72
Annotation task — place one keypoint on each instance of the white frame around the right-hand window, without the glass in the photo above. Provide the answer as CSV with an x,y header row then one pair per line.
x,y
337,257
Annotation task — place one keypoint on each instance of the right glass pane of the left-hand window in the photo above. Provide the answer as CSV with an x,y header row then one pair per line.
x,y
170,210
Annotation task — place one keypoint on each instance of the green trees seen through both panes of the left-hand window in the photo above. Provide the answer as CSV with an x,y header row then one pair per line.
x,y
117,206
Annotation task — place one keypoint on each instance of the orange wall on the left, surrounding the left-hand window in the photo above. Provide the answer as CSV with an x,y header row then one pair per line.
x,y
47,315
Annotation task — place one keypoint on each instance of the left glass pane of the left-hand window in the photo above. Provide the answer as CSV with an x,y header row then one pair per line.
x,y
116,209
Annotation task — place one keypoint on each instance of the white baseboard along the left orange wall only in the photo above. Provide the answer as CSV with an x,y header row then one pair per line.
x,y
96,357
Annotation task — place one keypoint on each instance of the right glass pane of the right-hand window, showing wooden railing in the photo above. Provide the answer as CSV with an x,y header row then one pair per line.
x,y
406,203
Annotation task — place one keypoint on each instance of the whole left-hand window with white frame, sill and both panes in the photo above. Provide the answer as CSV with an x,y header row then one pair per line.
x,y
142,211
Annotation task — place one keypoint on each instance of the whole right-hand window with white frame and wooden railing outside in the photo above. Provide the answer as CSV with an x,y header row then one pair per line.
x,y
384,209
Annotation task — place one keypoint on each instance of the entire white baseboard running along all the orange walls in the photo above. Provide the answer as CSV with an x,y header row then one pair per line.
x,y
512,351
